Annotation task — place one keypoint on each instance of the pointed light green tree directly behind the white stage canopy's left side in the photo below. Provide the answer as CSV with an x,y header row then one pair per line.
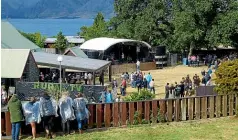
x,y
98,29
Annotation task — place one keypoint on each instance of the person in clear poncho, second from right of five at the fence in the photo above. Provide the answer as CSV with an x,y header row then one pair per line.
x,y
66,111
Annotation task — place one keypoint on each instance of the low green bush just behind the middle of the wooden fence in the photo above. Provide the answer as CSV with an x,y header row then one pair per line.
x,y
143,95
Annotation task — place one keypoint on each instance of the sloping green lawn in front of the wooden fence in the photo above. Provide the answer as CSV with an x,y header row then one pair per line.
x,y
210,129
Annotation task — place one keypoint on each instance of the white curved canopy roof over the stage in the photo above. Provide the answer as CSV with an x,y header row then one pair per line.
x,y
101,44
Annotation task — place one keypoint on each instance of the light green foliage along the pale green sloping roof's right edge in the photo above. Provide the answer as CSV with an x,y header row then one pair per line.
x,y
36,38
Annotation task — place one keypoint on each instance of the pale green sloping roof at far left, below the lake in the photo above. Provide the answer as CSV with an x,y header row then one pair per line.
x,y
12,39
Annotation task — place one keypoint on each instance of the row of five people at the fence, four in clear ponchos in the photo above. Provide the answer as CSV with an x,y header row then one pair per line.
x,y
46,110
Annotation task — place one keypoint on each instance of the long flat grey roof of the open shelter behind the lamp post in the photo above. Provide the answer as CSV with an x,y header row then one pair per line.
x,y
70,62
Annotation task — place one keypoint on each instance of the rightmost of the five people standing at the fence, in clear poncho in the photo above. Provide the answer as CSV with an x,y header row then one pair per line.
x,y
81,112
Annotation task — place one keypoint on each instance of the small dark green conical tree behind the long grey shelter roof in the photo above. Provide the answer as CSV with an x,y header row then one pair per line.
x,y
61,42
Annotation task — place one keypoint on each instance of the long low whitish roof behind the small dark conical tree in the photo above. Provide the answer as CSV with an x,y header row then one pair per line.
x,y
70,39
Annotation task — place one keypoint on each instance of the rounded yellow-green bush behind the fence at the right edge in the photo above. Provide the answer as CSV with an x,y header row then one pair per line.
x,y
227,78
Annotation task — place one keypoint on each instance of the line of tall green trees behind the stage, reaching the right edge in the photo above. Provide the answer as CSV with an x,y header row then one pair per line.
x,y
178,24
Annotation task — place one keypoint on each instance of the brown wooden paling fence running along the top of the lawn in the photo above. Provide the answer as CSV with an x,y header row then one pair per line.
x,y
182,109
